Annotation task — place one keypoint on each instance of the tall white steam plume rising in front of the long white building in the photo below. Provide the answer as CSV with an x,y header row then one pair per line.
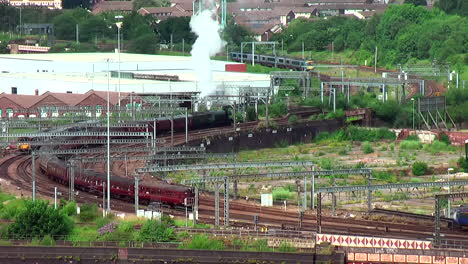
x,y
208,43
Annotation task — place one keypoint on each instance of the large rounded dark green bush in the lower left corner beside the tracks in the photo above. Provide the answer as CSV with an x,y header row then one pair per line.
x,y
38,219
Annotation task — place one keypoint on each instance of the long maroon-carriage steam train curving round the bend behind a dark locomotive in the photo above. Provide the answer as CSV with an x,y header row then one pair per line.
x,y
122,188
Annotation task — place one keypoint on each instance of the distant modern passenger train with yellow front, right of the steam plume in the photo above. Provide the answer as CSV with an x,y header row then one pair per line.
x,y
272,61
